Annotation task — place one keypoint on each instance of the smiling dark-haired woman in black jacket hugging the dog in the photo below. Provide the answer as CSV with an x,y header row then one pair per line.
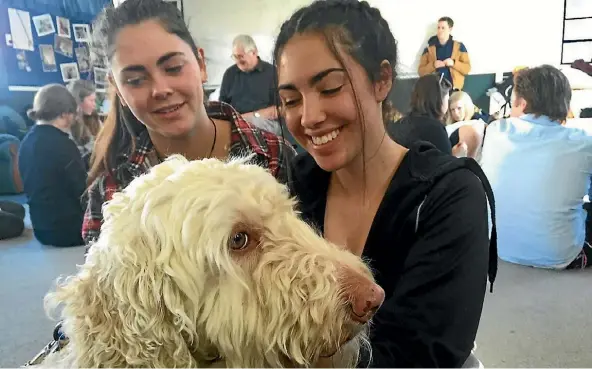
x,y
419,216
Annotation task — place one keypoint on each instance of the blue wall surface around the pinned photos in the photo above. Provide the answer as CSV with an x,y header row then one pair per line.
x,y
77,11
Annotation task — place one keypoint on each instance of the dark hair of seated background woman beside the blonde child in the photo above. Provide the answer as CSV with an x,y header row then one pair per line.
x,y
427,98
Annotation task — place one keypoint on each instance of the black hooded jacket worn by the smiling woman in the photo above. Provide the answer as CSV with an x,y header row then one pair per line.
x,y
430,250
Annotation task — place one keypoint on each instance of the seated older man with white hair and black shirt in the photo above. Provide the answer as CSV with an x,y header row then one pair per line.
x,y
249,85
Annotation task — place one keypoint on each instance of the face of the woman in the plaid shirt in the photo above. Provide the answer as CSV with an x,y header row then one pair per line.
x,y
159,78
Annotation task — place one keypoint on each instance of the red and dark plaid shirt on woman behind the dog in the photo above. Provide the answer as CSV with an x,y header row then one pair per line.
x,y
271,152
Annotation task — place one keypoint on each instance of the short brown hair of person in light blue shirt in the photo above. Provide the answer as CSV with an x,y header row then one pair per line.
x,y
546,91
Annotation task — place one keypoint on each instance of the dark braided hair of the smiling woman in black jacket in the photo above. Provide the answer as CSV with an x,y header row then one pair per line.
x,y
353,26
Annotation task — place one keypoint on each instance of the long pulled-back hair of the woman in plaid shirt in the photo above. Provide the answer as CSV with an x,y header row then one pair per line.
x,y
121,128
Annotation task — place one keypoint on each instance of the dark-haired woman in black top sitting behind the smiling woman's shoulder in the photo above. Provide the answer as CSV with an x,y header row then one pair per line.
x,y
428,107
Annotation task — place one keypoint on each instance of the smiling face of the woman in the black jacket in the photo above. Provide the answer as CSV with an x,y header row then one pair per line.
x,y
319,105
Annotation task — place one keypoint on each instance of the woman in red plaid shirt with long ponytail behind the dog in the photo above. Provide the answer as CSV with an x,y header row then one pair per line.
x,y
158,109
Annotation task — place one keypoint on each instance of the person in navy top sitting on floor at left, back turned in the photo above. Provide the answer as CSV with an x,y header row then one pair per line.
x,y
53,173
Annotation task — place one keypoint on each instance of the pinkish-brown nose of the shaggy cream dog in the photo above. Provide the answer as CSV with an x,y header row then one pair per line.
x,y
365,296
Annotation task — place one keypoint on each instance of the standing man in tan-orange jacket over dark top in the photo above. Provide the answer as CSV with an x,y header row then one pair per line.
x,y
445,56
